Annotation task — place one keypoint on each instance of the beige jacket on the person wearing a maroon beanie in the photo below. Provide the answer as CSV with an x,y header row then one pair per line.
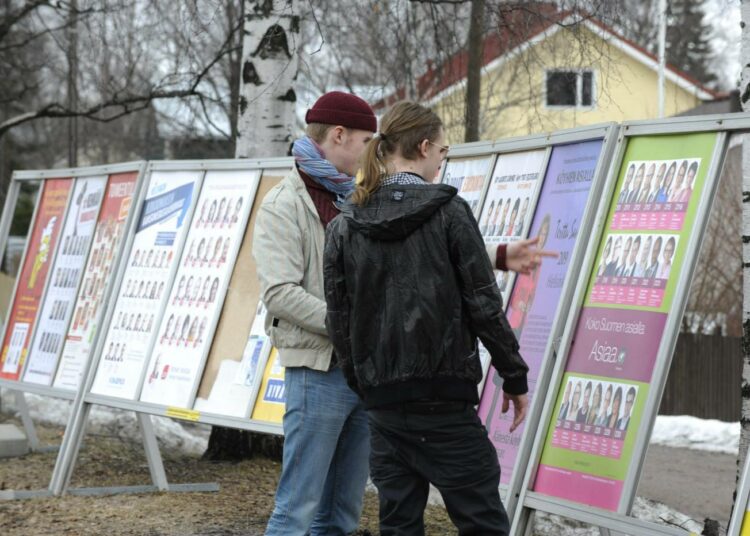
x,y
288,245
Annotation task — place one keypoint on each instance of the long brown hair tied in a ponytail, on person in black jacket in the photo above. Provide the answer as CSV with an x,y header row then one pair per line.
x,y
402,129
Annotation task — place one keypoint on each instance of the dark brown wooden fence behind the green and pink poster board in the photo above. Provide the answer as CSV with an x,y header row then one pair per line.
x,y
705,378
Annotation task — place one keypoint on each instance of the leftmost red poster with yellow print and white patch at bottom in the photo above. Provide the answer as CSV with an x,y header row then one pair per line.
x,y
39,253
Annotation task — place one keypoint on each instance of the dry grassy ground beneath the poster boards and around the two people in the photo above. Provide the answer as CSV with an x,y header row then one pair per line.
x,y
241,506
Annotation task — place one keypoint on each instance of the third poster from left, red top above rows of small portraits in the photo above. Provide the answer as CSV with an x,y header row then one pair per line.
x,y
88,311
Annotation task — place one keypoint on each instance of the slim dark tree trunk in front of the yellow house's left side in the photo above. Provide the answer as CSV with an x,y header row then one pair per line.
x,y
474,70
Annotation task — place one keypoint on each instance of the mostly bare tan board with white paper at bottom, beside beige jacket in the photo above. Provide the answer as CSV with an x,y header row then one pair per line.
x,y
223,389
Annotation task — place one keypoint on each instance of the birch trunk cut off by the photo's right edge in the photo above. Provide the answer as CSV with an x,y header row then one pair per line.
x,y
745,102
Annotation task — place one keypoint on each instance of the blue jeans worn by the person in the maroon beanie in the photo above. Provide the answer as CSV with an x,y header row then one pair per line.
x,y
326,451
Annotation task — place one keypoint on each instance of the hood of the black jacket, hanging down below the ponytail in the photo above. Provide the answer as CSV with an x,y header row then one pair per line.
x,y
394,212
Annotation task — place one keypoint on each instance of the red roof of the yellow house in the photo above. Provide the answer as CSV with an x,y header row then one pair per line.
x,y
519,24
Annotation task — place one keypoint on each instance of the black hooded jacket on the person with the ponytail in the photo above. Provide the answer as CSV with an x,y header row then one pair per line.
x,y
409,288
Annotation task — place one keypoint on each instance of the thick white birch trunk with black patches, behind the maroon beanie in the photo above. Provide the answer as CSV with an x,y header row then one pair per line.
x,y
270,62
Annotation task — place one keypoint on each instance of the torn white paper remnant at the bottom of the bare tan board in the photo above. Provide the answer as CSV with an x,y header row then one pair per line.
x,y
238,382
